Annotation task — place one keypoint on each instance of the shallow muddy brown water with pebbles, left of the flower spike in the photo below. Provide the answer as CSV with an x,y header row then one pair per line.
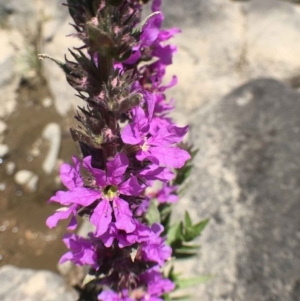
x,y
25,241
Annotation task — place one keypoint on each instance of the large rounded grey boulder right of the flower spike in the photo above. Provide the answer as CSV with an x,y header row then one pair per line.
x,y
246,180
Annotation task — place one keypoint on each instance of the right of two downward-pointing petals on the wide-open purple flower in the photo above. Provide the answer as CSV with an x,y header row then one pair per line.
x,y
123,216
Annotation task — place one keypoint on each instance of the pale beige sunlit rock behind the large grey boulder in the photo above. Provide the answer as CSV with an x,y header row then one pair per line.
x,y
225,43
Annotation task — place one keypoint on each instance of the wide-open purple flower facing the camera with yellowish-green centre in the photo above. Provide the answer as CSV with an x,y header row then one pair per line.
x,y
109,186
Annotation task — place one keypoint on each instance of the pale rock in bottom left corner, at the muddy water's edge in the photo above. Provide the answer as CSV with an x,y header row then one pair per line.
x,y
30,285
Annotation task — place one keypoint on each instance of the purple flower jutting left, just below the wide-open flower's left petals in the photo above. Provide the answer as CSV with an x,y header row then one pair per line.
x,y
82,251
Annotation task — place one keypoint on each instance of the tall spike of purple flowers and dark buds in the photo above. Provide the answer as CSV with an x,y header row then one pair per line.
x,y
128,143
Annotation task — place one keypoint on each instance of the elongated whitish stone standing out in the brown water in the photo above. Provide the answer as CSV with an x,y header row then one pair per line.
x,y
52,133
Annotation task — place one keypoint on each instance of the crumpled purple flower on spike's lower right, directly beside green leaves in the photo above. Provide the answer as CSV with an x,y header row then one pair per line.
x,y
155,249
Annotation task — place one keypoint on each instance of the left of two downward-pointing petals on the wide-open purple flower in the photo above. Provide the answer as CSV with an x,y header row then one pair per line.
x,y
101,217
